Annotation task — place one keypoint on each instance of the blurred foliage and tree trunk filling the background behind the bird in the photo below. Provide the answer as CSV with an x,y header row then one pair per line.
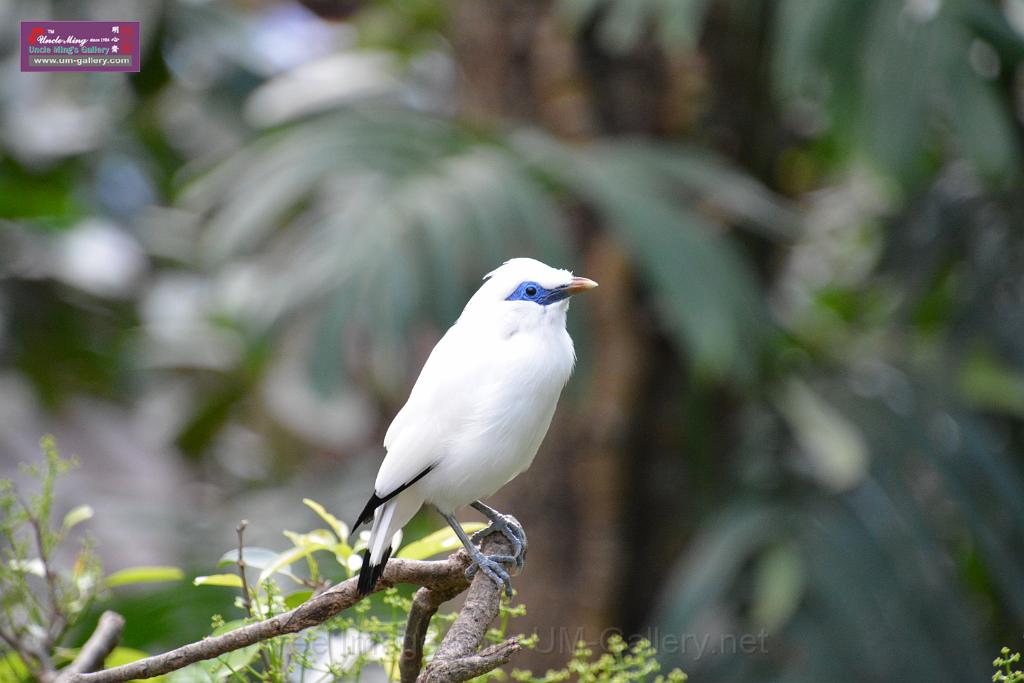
x,y
800,404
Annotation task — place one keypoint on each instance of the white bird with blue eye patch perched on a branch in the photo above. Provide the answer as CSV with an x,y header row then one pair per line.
x,y
478,414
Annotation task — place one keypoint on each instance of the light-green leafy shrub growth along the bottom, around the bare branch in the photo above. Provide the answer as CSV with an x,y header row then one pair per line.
x,y
41,602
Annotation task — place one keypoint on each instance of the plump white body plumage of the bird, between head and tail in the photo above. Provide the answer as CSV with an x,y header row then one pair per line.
x,y
489,395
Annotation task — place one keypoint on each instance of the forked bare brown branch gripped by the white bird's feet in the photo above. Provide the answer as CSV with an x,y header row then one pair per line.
x,y
444,580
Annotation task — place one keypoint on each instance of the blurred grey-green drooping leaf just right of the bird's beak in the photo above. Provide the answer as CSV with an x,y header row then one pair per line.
x,y
722,320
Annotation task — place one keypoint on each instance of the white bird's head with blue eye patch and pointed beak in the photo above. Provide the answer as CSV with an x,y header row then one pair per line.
x,y
527,287
